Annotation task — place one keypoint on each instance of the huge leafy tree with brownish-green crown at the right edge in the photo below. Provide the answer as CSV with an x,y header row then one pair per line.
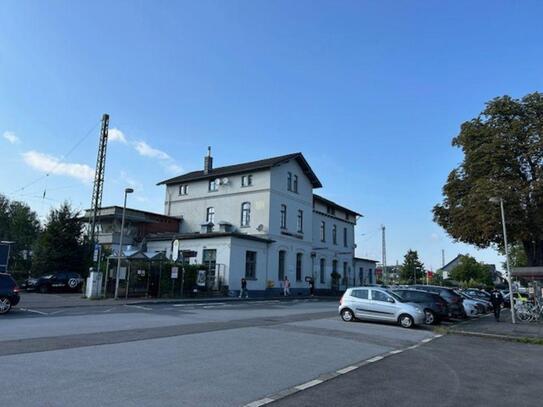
x,y
503,157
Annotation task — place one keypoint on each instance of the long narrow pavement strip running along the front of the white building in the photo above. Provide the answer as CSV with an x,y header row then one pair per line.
x,y
42,301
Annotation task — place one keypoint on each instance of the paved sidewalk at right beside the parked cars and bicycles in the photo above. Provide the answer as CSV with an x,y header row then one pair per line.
x,y
488,327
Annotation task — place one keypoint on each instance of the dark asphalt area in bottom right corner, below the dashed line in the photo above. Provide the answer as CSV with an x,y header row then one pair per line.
x,y
453,370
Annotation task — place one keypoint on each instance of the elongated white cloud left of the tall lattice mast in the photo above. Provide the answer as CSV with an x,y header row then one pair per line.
x,y
52,165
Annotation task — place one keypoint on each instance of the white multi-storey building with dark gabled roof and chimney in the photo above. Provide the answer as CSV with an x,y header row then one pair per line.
x,y
260,220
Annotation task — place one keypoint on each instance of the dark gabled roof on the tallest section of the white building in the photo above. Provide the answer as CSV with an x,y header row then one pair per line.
x,y
244,167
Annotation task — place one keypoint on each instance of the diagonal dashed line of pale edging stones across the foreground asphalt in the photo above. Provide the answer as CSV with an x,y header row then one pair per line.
x,y
332,375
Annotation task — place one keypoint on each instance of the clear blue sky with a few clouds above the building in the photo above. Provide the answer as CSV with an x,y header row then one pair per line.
x,y
370,92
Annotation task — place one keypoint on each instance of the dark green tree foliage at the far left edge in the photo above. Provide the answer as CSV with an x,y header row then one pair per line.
x,y
18,223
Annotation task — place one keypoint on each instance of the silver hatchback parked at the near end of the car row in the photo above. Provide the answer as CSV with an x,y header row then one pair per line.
x,y
379,304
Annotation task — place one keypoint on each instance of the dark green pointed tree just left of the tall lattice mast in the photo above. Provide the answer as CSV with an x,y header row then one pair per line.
x,y
61,246
